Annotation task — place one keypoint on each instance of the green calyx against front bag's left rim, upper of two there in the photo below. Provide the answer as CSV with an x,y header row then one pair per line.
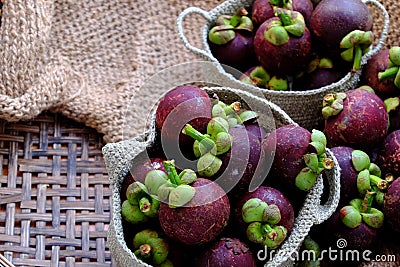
x,y
139,205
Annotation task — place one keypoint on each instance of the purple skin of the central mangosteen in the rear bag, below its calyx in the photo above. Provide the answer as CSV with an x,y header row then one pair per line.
x,y
286,59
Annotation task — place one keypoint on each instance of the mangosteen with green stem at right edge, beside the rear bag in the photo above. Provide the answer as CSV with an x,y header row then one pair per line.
x,y
378,75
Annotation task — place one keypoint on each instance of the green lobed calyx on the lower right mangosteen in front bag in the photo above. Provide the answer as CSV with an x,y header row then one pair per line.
x,y
263,219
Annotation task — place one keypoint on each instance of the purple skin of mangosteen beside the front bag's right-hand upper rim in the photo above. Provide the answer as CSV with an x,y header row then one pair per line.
x,y
290,143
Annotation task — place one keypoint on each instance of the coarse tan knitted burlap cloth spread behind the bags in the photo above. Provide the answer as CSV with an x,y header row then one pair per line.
x,y
87,59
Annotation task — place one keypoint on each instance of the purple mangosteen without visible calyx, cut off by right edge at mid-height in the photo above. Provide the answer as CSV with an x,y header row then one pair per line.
x,y
389,154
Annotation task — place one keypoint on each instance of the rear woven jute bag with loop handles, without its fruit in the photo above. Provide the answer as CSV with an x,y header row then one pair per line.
x,y
302,106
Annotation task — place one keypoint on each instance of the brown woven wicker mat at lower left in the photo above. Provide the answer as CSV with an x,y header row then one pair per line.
x,y
54,194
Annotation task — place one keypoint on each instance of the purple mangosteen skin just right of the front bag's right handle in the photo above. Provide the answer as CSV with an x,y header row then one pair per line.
x,y
348,175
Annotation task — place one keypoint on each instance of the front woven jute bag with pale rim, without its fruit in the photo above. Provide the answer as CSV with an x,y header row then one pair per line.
x,y
120,156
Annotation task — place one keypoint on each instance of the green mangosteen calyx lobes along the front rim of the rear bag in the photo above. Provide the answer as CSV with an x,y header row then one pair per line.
x,y
259,77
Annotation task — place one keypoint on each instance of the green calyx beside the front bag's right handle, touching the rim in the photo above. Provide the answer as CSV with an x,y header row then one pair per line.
x,y
316,161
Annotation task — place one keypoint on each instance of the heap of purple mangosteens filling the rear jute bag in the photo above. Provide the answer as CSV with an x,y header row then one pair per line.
x,y
296,45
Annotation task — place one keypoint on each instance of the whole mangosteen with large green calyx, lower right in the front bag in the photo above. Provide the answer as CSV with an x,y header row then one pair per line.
x,y
265,215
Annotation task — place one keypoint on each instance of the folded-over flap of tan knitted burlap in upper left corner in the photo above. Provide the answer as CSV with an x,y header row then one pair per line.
x,y
31,78
